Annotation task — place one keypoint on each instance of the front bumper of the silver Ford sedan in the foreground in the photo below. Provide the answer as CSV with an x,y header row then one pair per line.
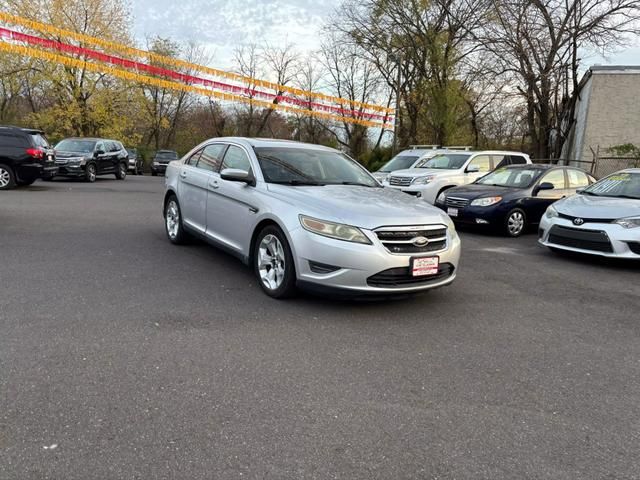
x,y
368,269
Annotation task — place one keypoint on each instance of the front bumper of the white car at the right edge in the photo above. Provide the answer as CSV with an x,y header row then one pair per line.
x,y
601,239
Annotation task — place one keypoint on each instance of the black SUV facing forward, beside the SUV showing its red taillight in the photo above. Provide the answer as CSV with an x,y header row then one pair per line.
x,y
88,157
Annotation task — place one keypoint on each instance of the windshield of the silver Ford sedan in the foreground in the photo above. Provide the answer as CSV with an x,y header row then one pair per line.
x,y
302,166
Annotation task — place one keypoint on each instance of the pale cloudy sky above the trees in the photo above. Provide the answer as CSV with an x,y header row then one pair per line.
x,y
223,25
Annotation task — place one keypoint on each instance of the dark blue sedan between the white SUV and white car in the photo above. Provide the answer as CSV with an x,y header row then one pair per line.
x,y
512,198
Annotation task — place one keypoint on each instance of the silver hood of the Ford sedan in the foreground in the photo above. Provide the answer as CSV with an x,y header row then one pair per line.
x,y
359,206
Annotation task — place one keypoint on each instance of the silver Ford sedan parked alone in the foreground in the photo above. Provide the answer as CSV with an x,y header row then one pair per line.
x,y
308,216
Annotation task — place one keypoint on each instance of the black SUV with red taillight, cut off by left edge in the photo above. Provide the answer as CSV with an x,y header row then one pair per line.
x,y
25,155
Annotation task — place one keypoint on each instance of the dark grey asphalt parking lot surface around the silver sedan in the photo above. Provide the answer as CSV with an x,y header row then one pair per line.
x,y
125,357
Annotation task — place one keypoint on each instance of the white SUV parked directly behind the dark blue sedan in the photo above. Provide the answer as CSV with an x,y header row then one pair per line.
x,y
430,177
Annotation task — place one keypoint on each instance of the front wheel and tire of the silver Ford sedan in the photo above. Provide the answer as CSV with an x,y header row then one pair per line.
x,y
273,263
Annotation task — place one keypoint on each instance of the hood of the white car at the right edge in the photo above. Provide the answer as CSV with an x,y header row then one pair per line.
x,y
587,206
